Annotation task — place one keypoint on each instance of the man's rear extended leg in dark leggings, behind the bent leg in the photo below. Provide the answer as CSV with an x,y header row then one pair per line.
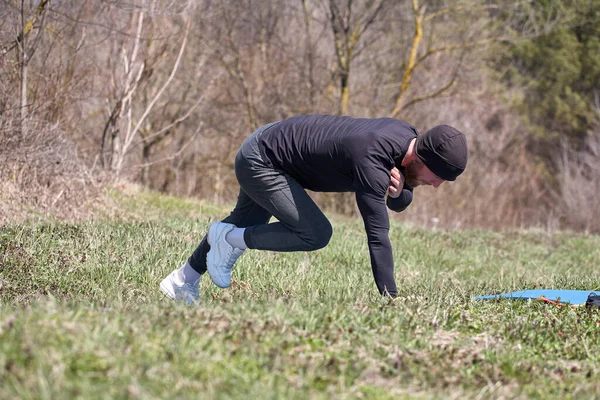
x,y
246,213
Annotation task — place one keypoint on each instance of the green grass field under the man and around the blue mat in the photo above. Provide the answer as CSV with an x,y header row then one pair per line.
x,y
81,314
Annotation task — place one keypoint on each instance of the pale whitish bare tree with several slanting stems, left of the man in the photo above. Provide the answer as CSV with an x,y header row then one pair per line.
x,y
129,121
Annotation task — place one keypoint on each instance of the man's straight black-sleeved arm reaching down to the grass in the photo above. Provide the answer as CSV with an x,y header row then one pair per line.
x,y
374,213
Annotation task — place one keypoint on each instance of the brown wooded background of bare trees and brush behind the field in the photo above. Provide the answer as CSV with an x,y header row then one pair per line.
x,y
163,92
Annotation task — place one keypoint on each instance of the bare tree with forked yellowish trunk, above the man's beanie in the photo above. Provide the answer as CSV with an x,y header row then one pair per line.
x,y
478,26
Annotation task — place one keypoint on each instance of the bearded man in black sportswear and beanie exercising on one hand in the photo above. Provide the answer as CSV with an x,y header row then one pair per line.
x,y
370,157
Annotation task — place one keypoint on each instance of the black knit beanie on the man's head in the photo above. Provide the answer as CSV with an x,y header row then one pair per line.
x,y
443,149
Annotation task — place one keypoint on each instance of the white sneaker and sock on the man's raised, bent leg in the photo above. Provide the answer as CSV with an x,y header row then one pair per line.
x,y
222,255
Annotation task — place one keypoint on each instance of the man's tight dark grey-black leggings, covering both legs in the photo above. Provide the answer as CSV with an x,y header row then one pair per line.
x,y
266,191
